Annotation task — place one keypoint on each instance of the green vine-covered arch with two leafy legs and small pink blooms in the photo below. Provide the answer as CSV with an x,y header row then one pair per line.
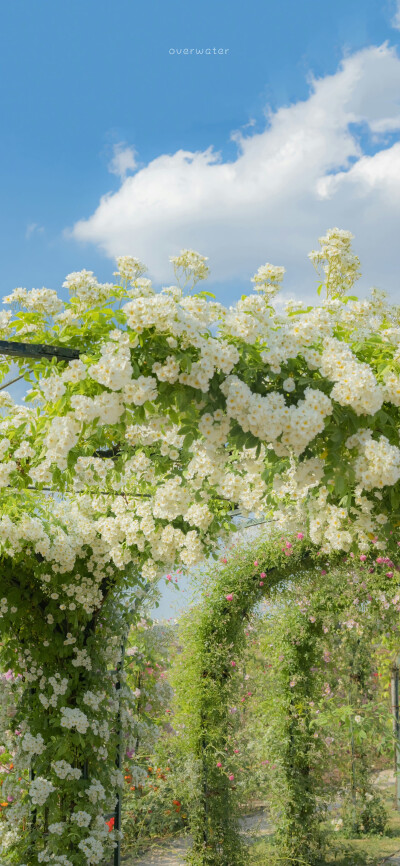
x,y
214,636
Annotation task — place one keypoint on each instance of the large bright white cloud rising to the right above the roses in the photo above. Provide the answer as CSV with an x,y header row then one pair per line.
x,y
303,174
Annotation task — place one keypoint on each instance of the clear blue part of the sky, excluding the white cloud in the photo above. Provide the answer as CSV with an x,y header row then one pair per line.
x,y
79,78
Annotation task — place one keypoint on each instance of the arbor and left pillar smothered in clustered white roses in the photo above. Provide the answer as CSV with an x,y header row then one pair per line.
x,y
177,412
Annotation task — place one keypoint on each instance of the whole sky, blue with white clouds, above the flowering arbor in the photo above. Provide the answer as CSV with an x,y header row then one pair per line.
x,y
113,144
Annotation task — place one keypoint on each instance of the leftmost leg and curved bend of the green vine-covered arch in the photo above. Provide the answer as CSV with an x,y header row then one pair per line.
x,y
213,644
